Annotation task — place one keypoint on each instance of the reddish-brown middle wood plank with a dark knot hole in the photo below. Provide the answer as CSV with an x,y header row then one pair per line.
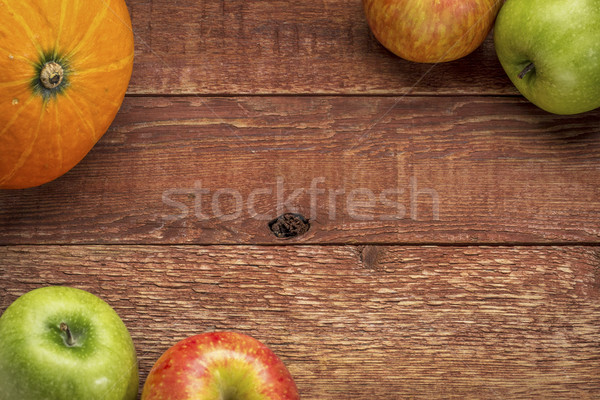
x,y
364,170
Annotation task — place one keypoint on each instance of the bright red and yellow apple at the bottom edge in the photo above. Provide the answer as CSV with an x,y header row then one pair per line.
x,y
219,366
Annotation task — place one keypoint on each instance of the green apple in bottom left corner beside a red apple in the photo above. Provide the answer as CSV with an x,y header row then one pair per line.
x,y
65,343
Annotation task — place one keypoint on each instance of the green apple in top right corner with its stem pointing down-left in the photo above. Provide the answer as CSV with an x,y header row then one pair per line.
x,y
550,50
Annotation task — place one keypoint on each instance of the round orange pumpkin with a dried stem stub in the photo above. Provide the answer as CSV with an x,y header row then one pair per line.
x,y
65,66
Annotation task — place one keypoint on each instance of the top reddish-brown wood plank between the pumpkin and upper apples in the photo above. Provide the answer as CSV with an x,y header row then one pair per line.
x,y
268,47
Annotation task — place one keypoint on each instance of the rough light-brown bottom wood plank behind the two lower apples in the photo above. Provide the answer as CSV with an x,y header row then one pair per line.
x,y
357,323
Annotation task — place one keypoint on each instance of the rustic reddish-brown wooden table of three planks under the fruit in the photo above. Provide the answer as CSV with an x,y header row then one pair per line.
x,y
453,242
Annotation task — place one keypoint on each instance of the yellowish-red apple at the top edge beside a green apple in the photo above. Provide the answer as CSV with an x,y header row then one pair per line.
x,y
431,31
